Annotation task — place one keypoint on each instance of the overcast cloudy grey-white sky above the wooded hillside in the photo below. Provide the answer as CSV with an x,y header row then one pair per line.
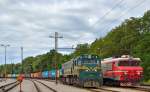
x,y
29,23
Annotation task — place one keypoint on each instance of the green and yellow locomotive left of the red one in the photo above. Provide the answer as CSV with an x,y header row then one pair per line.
x,y
84,70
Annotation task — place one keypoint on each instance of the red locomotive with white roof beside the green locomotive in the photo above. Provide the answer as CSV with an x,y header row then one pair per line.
x,y
123,71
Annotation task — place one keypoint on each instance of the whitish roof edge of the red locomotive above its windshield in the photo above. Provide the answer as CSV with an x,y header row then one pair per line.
x,y
119,59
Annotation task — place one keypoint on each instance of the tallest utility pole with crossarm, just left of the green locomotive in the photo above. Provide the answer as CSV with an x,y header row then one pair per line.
x,y
56,48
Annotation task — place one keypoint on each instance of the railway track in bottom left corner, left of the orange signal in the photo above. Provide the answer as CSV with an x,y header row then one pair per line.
x,y
9,86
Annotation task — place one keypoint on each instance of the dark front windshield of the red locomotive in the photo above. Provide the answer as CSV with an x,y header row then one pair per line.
x,y
128,63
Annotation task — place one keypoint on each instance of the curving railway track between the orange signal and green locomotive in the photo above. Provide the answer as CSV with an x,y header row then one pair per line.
x,y
38,88
